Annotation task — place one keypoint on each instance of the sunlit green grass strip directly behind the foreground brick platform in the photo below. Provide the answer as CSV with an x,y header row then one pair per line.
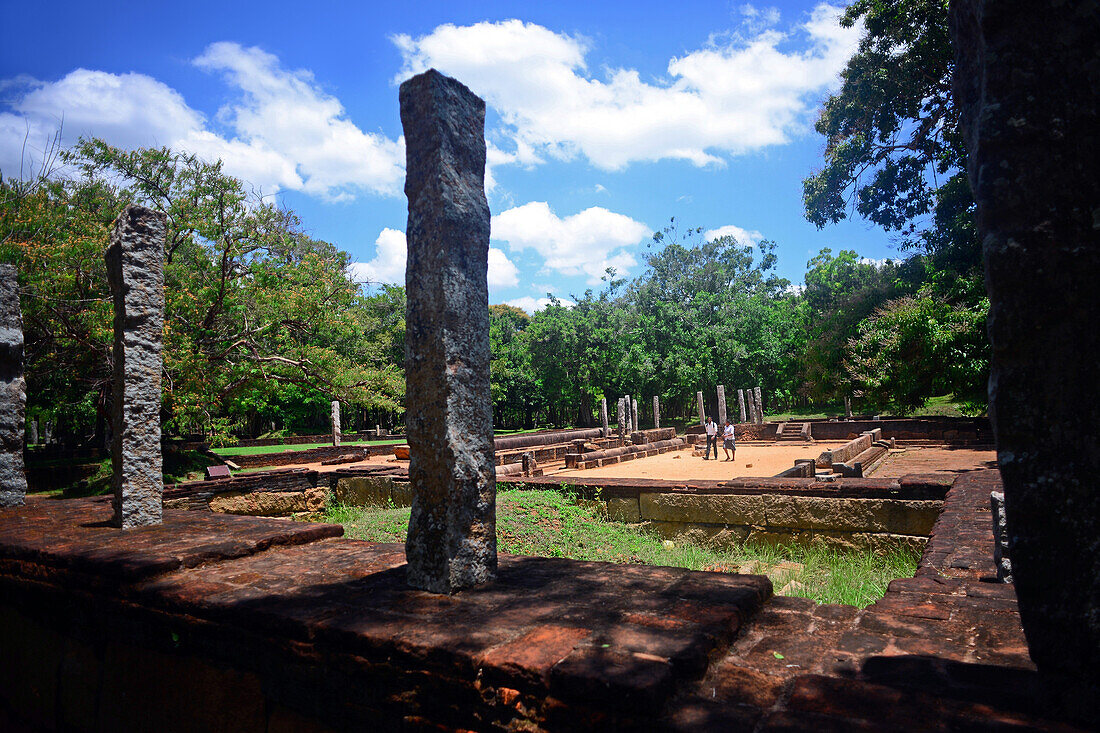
x,y
549,524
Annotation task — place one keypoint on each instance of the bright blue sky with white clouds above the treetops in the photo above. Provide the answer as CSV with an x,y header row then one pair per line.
x,y
606,119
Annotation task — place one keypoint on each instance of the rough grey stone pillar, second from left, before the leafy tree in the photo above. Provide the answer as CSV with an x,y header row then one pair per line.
x,y
136,273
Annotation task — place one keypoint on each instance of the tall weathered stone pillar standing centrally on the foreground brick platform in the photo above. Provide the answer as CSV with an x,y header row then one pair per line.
x,y
453,530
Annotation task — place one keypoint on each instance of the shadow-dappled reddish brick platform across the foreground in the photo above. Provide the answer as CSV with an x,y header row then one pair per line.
x,y
216,622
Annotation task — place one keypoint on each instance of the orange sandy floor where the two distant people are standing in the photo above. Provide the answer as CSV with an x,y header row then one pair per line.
x,y
764,460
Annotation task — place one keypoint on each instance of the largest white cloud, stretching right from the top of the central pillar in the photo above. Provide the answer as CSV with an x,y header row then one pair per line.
x,y
724,100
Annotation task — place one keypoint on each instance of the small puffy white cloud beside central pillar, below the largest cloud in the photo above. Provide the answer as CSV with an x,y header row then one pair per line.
x,y
584,244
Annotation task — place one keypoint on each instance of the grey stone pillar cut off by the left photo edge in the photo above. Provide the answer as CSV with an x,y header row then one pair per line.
x,y
13,391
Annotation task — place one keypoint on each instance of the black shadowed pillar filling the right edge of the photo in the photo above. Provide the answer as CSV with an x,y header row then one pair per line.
x,y
1026,86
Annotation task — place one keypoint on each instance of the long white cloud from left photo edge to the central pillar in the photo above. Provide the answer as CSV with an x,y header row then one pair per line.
x,y
284,132
